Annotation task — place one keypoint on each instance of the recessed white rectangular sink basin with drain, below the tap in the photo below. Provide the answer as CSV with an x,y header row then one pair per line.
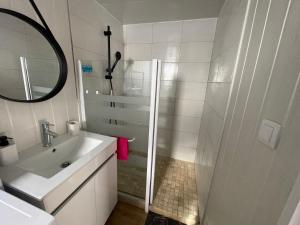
x,y
57,157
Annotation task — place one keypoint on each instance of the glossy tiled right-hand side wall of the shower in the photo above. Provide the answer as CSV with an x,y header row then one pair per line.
x,y
224,56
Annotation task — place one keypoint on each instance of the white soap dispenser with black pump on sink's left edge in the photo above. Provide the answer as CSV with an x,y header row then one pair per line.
x,y
8,151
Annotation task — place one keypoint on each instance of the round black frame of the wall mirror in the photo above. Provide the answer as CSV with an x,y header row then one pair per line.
x,y
63,66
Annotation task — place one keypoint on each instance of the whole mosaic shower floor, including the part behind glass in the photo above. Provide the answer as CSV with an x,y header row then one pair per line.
x,y
175,187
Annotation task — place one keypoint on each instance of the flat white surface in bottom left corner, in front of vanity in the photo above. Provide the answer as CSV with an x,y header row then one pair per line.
x,y
14,211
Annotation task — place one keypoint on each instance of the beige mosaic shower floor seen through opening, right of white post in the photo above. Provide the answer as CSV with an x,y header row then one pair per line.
x,y
176,192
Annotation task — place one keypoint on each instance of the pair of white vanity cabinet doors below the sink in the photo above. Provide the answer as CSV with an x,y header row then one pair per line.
x,y
93,203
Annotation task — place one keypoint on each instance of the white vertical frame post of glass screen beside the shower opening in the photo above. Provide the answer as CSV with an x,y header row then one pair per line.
x,y
152,136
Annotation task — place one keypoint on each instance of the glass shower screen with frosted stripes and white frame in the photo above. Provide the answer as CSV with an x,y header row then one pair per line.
x,y
132,115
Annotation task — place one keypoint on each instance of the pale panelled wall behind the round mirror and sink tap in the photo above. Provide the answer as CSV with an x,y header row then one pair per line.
x,y
20,120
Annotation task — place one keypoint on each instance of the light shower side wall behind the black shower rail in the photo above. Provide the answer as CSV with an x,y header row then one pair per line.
x,y
88,21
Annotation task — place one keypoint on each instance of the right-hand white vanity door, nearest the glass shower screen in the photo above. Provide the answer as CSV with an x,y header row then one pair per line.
x,y
106,190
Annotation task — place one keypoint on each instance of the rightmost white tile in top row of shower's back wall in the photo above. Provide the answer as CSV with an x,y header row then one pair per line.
x,y
199,30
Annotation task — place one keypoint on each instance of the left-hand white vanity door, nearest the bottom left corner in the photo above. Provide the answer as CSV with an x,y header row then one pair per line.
x,y
80,209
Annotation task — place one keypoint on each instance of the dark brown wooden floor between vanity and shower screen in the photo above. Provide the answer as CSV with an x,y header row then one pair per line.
x,y
125,214
